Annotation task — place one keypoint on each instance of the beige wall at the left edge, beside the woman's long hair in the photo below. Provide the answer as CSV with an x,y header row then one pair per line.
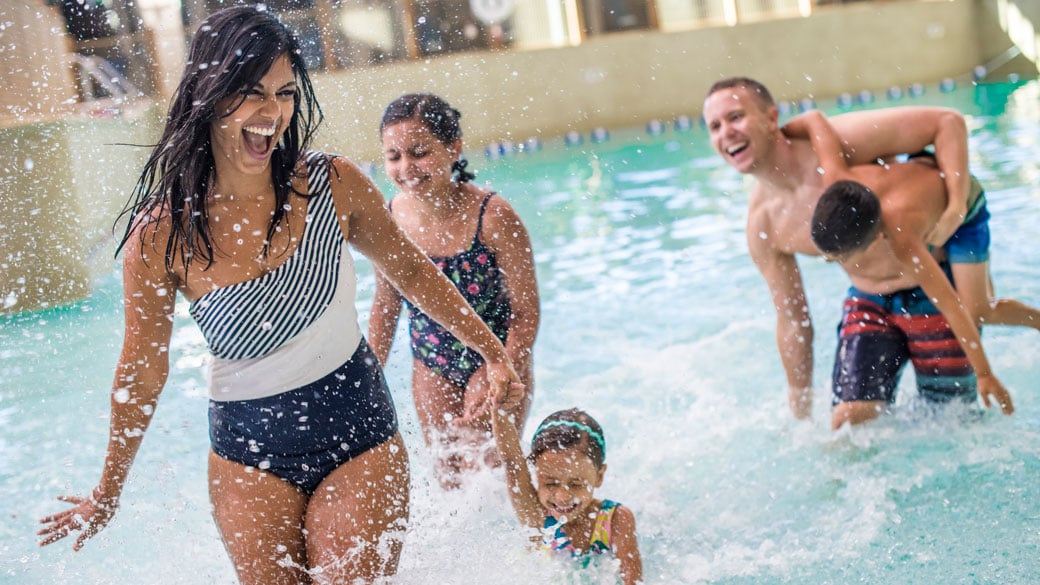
x,y
63,184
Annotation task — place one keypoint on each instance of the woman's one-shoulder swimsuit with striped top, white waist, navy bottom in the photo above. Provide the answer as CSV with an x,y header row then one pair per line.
x,y
295,389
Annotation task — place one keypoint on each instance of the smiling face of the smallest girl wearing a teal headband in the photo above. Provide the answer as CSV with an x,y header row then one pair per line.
x,y
566,481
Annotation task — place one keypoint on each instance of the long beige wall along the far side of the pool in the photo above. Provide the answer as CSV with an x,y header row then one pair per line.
x,y
628,80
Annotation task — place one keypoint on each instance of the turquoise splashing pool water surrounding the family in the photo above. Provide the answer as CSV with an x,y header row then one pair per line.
x,y
655,321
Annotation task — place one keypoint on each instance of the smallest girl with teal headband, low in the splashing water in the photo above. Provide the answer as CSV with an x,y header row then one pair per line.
x,y
567,452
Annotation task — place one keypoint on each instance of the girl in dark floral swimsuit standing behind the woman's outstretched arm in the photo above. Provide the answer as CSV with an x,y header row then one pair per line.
x,y
481,245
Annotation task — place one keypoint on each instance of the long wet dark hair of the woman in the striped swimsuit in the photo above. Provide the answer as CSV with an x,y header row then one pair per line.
x,y
232,50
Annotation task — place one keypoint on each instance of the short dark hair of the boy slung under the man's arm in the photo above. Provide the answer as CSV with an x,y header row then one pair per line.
x,y
847,218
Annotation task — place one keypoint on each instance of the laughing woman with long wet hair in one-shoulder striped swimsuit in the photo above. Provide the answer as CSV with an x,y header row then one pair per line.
x,y
232,211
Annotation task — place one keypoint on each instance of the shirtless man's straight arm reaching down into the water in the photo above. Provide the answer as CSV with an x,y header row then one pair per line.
x,y
794,324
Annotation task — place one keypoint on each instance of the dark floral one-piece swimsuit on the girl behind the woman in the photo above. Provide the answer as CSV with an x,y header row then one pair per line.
x,y
476,274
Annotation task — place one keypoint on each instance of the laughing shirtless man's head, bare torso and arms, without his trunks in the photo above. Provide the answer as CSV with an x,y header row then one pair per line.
x,y
744,124
